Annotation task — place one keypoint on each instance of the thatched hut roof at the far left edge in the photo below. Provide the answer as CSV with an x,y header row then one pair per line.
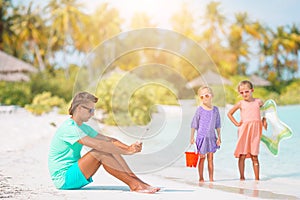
x,y
13,69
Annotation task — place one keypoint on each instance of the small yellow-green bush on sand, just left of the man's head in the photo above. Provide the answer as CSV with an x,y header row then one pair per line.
x,y
44,102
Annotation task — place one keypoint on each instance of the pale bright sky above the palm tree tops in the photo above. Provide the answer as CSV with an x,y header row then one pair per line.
x,y
269,12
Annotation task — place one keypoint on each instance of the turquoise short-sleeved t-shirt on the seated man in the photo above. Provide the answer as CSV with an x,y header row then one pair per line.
x,y
65,150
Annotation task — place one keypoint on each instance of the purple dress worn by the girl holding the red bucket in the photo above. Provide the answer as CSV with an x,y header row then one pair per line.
x,y
205,122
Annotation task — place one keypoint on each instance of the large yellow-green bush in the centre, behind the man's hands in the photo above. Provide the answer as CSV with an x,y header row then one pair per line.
x,y
128,100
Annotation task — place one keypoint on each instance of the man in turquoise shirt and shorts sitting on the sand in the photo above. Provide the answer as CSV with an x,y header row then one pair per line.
x,y
71,171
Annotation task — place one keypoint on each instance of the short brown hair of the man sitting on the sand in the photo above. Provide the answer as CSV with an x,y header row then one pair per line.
x,y
81,98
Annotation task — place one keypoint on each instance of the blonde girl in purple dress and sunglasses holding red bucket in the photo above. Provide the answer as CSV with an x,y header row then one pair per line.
x,y
207,122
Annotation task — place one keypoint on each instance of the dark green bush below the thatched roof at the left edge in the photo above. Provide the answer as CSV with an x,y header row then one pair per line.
x,y
12,93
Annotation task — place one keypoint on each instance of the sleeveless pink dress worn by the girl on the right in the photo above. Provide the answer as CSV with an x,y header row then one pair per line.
x,y
249,133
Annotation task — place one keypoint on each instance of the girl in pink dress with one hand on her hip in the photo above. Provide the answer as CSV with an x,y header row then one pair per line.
x,y
249,128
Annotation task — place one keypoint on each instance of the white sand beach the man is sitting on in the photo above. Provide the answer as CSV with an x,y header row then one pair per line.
x,y
25,140
